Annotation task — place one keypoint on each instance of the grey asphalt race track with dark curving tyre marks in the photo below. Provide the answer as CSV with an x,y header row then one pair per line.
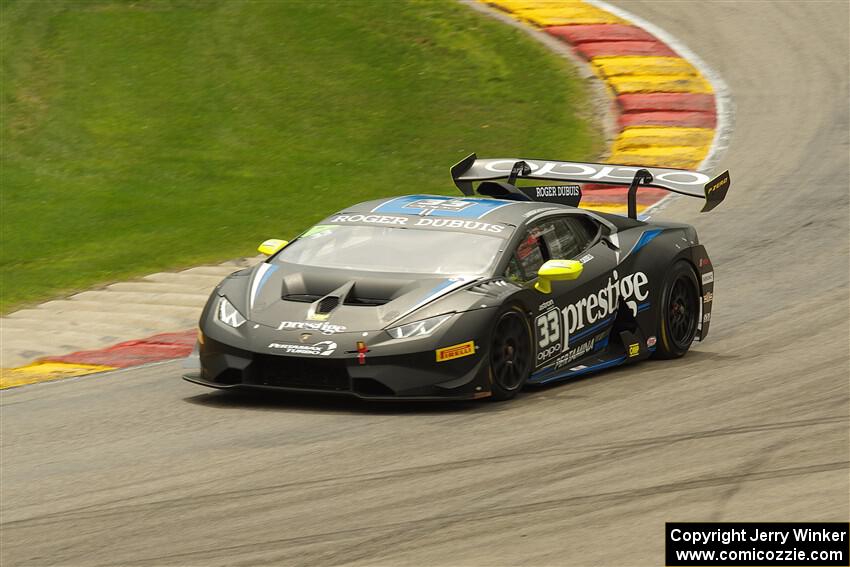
x,y
139,467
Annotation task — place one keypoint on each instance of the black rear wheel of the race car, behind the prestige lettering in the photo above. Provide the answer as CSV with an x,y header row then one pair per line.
x,y
679,313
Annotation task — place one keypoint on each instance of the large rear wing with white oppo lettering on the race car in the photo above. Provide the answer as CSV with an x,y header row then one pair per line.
x,y
691,183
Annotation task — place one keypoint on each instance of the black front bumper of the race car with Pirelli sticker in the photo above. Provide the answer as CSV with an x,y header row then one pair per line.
x,y
409,376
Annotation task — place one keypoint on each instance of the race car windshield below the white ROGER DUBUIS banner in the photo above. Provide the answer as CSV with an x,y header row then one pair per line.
x,y
393,249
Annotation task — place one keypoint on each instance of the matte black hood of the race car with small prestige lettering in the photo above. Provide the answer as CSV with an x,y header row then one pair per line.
x,y
288,296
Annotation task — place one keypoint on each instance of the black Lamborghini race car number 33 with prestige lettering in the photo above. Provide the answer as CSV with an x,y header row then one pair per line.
x,y
434,297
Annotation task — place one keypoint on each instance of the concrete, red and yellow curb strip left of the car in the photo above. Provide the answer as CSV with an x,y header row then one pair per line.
x,y
99,329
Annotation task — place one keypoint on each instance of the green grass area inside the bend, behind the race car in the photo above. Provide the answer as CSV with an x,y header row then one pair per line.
x,y
145,135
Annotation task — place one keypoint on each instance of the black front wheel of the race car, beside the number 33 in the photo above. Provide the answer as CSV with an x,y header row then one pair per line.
x,y
511,353
